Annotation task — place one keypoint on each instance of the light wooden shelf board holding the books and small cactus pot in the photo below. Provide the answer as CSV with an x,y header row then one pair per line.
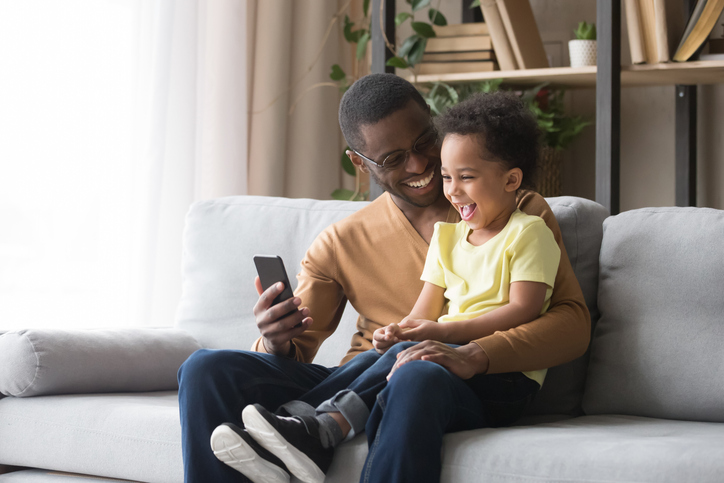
x,y
688,73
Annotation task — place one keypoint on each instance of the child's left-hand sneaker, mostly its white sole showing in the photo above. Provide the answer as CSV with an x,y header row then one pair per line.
x,y
233,446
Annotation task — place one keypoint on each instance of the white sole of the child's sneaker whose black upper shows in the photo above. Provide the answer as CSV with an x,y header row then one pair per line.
x,y
266,435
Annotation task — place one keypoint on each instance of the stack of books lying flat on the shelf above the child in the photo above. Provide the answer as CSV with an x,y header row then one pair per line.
x,y
458,48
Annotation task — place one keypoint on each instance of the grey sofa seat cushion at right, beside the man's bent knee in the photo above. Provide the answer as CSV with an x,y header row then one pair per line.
x,y
585,449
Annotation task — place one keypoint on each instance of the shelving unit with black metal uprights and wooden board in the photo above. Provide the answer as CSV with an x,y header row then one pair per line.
x,y
608,77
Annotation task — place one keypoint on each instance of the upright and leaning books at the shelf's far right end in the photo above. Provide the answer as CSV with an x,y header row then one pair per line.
x,y
659,32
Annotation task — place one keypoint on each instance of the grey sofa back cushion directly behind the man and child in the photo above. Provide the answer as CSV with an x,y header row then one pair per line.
x,y
222,236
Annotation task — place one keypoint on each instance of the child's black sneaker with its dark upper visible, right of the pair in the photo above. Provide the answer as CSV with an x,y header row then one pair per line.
x,y
293,440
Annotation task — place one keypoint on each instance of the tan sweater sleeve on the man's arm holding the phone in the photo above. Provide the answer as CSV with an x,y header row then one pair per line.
x,y
321,293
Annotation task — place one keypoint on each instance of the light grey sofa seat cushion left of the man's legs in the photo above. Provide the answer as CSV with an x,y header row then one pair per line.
x,y
129,436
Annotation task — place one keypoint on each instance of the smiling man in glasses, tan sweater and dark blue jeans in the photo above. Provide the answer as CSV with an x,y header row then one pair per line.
x,y
374,259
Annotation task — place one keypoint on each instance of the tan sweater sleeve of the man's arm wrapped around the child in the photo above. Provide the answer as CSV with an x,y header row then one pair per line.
x,y
558,336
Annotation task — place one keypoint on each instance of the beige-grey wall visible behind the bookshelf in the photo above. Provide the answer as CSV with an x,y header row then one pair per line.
x,y
647,121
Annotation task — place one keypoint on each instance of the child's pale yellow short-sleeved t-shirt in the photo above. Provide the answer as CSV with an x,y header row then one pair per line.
x,y
477,279
